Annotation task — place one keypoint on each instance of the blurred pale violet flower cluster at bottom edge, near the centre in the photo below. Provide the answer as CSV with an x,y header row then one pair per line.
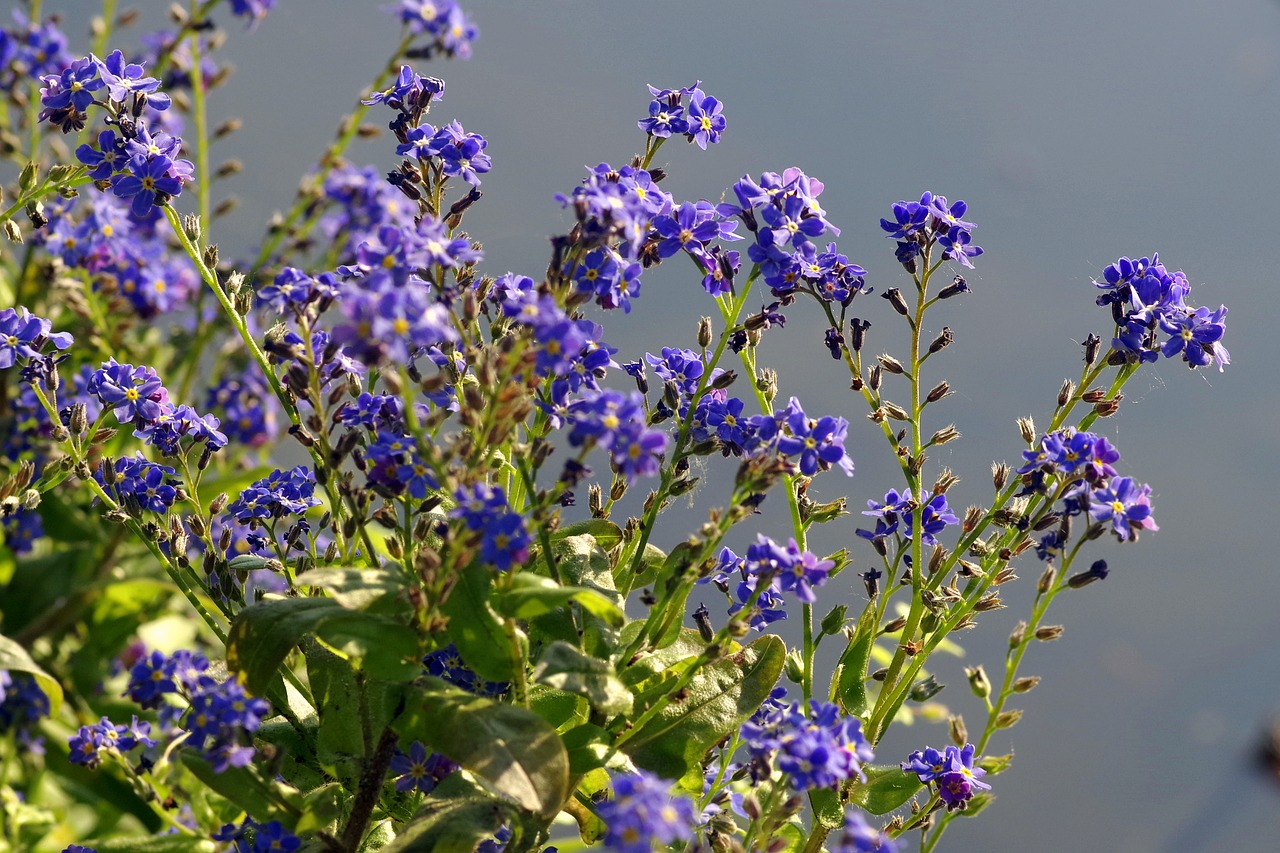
x,y
643,811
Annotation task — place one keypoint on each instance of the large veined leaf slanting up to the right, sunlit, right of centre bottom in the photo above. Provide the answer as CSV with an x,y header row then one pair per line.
x,y
720,700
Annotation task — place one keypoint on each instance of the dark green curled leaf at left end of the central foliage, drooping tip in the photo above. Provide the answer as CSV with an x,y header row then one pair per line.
x,y
264,635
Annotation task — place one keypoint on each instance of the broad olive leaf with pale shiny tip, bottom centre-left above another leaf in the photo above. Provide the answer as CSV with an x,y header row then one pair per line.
x,y
515,751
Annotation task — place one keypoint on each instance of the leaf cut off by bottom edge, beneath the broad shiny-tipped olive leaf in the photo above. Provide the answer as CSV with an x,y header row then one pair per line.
x,y
455,819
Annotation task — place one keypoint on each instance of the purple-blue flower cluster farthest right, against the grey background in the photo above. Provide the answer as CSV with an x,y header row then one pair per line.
x,y
1146,299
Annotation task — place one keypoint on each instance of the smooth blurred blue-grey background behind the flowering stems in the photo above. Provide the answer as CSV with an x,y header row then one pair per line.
x,y
1078,133
